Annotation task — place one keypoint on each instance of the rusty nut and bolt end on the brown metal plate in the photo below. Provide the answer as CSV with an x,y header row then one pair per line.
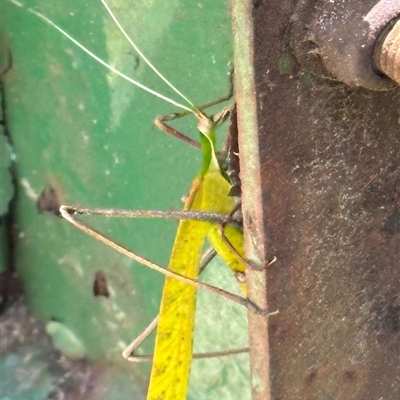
x,y
336,40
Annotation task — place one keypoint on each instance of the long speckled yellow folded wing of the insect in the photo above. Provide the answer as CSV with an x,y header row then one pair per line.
x,y
173,350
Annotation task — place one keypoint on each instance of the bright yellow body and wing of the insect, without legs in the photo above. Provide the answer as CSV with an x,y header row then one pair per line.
x,y
173,350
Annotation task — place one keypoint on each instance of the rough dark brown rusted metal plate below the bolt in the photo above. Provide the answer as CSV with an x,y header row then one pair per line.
x,y
329,159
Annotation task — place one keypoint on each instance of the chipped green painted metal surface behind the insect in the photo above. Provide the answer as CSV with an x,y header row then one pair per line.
x,y
88,135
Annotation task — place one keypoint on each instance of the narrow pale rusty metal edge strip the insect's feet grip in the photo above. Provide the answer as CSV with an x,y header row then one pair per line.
x,y
252,197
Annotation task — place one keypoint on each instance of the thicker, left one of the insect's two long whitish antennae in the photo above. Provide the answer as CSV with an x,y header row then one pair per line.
x,y
110,67
